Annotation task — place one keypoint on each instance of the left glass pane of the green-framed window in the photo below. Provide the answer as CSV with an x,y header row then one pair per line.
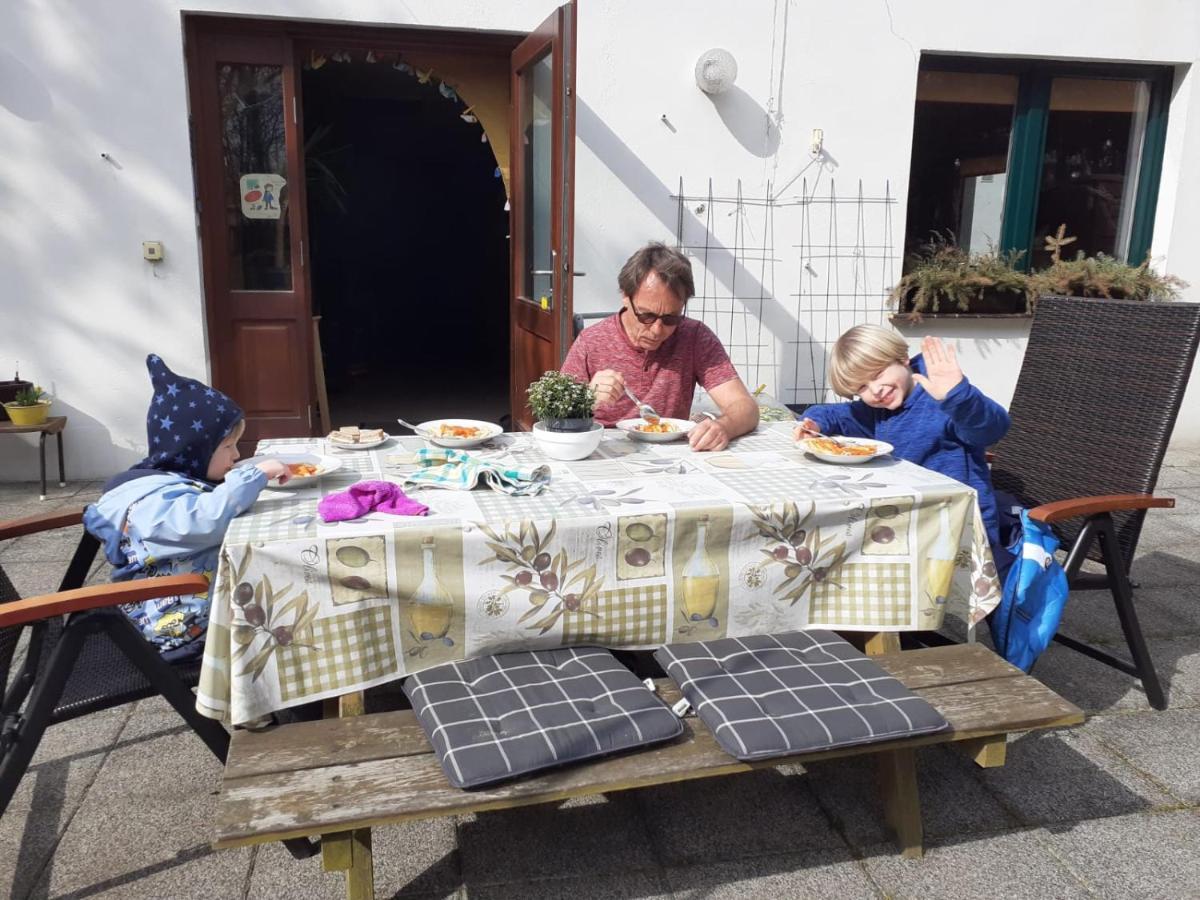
x,y
961,140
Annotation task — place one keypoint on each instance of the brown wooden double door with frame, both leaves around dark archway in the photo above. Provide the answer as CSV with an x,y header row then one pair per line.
x,y
249,149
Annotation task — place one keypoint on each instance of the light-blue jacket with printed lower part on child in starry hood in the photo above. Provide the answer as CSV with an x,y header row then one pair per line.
x,y
171,525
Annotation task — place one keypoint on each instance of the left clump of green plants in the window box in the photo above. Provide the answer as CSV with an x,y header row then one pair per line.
x,y
944,278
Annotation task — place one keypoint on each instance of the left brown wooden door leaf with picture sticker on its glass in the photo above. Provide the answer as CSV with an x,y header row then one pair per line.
x,y
250,194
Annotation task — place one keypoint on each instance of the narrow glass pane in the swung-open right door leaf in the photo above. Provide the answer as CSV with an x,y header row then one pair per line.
x,y
536,128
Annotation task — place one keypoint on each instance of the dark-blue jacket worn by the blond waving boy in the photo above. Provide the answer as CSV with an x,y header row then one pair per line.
x,y
950,437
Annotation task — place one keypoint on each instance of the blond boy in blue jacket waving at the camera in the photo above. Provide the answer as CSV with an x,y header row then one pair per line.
x,y
925,407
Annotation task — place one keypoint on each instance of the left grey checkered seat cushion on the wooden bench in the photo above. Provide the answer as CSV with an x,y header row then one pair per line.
x,y
499,717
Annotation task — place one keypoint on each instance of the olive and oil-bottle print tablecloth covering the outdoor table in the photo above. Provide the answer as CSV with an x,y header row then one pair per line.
x,y
639,545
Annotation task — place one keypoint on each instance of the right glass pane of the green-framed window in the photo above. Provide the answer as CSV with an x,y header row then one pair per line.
x,y
1090,169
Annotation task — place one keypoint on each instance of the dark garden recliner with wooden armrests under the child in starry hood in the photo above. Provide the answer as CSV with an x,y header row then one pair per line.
x,y
85,656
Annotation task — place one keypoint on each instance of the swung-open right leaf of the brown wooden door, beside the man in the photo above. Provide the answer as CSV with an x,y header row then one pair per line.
x,y
543,191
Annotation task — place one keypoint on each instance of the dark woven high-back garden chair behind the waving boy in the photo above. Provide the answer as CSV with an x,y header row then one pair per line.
x,y
1095,406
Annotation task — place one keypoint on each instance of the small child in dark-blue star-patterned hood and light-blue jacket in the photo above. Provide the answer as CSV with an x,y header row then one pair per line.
x,y
169,514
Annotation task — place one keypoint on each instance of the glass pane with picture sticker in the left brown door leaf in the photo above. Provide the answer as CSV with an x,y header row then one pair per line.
x,y
256,177
